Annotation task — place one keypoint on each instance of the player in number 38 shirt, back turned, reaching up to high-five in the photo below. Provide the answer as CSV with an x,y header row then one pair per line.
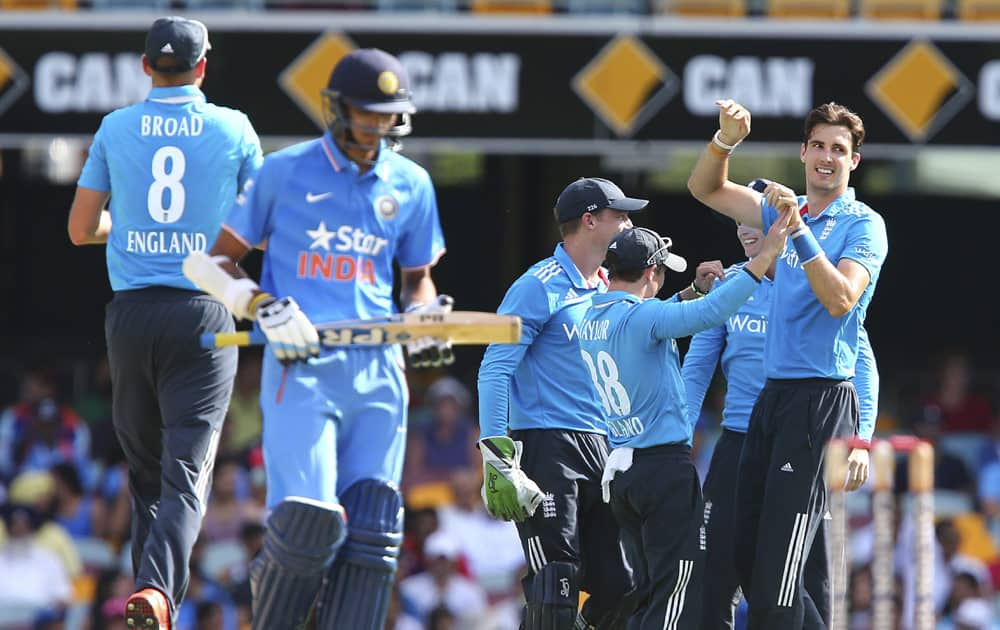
x,y
628,341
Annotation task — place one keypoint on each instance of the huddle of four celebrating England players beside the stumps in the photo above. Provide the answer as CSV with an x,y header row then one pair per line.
x,y
599,423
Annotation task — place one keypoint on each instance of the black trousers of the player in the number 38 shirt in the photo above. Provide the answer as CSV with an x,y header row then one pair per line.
x,y
658,504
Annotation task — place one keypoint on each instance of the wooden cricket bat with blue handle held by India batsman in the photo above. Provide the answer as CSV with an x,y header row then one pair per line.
x,y
458,327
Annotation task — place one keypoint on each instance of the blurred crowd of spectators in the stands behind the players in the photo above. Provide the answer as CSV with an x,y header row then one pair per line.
x,y
64,501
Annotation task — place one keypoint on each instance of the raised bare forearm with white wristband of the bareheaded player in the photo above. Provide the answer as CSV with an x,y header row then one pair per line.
x,y
709,181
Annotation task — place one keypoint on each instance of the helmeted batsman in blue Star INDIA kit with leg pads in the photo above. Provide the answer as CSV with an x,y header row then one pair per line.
x,y
334,214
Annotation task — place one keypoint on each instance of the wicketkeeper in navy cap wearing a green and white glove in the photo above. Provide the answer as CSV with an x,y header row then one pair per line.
x,y
546,474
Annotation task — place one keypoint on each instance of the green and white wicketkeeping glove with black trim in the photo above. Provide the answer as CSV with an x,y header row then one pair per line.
x,y
507,492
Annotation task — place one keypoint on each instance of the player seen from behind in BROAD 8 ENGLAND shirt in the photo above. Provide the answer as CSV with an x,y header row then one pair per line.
x,y
172,166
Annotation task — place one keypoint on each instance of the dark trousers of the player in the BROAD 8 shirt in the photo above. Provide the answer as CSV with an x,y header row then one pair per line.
x,y
169,398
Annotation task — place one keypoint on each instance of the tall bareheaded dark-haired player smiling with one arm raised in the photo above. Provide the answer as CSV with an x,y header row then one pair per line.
x,y
823,283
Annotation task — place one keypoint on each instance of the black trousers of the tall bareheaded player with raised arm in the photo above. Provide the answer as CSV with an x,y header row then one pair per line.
x,y
781,500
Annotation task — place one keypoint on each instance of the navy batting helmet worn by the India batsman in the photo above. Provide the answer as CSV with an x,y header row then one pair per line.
x,y
373,80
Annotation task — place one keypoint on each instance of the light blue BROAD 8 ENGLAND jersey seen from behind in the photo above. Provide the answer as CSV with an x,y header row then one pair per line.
x,y
174,164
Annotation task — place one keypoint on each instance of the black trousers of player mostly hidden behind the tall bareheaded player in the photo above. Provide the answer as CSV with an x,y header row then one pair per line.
x,y
721,594
